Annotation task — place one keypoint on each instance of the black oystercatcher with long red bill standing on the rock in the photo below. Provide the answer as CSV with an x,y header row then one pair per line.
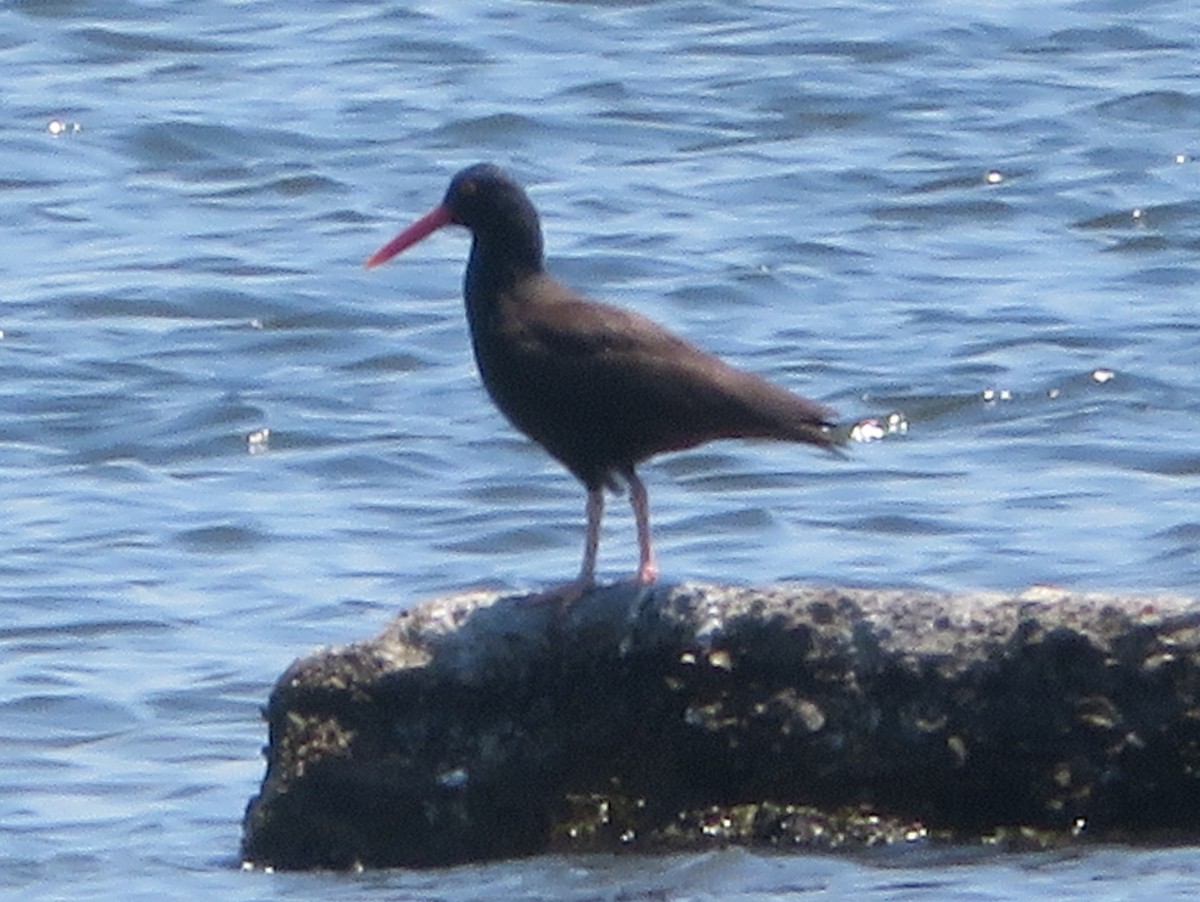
x,y
601,388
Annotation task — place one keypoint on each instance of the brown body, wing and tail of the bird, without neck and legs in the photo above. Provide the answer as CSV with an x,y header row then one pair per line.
x,y
603,388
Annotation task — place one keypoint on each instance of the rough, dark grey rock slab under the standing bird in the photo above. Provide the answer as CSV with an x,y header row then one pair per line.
x,y
477,727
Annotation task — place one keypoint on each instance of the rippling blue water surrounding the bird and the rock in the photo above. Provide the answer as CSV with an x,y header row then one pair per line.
x,y
223,443
